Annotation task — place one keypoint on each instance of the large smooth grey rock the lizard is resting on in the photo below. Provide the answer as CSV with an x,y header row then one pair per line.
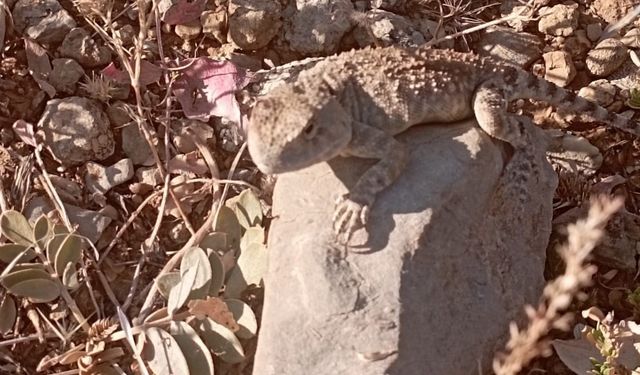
x,y
447,266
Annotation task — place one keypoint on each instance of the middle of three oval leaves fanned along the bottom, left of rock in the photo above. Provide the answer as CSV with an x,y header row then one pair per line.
x,y
194,349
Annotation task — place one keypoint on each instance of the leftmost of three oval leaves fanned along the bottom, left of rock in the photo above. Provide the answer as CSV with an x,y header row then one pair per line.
x,y
162,353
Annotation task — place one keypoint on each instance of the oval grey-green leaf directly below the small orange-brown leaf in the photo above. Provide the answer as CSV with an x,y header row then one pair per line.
x,y
221,340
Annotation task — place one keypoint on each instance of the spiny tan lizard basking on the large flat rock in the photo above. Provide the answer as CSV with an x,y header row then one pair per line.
x,y
353,103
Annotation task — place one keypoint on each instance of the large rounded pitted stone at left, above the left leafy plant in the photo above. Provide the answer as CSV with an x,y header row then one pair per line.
x,y
76,130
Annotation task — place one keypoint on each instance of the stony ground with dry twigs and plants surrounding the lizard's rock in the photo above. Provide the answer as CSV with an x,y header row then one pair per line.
x,y
100,116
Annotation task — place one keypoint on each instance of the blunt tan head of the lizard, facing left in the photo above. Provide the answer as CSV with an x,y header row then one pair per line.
x,y
292,128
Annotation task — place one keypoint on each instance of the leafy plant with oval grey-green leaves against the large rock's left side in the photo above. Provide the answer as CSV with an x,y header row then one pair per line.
x,y
210,321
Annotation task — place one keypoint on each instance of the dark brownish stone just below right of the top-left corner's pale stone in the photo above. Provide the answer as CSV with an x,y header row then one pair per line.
x,y
79,45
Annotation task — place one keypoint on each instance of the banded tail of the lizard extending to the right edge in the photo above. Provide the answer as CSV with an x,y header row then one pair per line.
x,y
527,85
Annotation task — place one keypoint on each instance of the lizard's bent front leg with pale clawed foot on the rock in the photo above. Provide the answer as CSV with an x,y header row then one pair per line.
x,y
371,143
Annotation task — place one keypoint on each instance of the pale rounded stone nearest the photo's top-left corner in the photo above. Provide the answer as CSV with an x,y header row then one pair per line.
x,y
43,20
